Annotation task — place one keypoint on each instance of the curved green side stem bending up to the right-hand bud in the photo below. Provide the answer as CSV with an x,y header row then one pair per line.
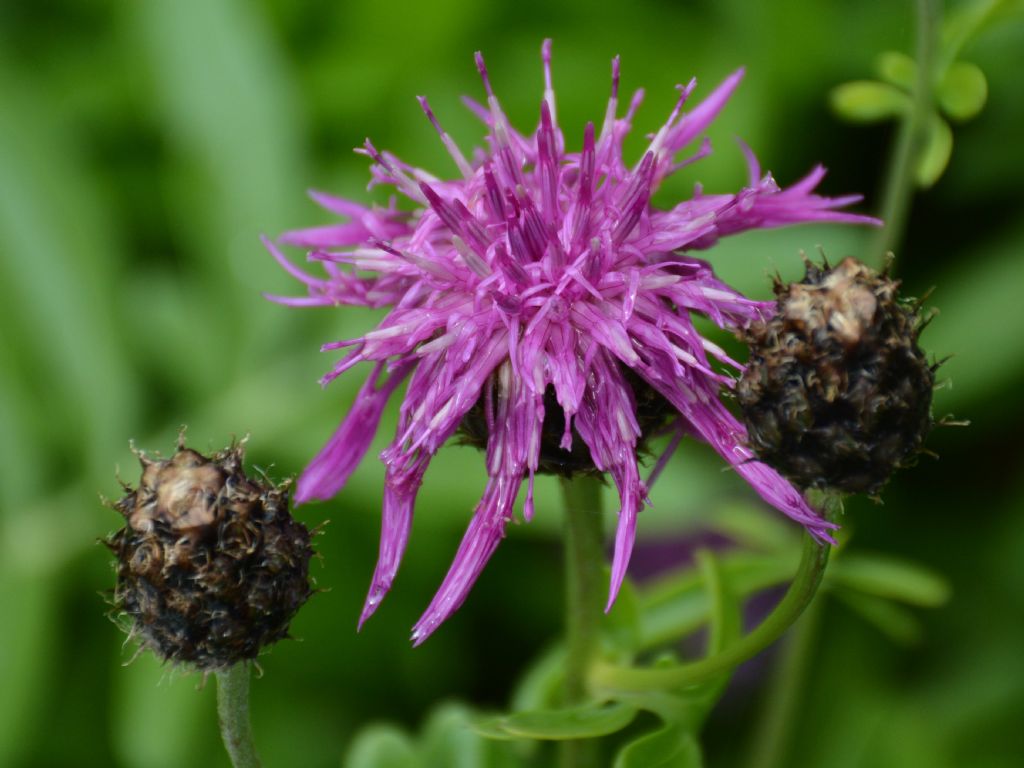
x,y
629,679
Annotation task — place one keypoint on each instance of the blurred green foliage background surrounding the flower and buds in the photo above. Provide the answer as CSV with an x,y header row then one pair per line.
x,y
145,147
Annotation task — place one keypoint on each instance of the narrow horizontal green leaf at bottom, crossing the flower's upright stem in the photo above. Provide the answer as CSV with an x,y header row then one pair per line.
x,y
588,721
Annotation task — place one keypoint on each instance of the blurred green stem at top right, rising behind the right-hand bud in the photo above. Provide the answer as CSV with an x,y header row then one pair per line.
x,y
901,181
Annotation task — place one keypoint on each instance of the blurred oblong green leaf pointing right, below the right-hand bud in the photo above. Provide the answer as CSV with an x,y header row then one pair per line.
x,y
889,578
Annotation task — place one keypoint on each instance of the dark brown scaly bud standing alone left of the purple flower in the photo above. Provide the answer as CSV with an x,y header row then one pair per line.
x,y
211,567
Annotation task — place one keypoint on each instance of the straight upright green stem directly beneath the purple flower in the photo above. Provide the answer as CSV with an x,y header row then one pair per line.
x,y
585,590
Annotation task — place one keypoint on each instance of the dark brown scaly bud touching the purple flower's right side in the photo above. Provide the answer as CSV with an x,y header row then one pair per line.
x,y
837,394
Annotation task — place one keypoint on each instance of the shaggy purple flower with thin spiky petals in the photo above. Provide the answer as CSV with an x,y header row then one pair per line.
x,y
537,271
